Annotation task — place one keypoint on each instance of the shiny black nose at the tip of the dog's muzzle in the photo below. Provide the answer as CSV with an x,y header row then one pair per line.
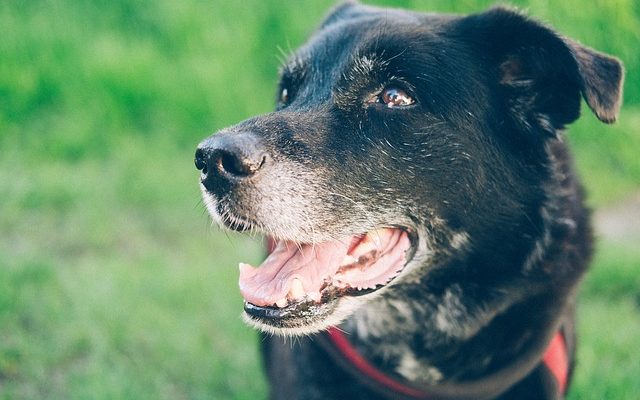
x,y
229,156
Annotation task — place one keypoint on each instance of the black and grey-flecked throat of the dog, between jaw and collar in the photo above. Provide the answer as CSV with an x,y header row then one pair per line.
x,y
445,340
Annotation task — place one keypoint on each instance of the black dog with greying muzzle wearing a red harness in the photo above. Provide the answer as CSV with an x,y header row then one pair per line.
x,y
417,194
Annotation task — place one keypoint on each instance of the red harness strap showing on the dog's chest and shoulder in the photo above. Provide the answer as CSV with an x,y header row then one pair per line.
x,y
555,358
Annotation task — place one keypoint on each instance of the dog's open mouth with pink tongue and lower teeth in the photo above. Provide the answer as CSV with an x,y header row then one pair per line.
x,y
298,278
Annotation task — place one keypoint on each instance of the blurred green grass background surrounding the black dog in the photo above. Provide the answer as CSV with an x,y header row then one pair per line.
x,y
114,285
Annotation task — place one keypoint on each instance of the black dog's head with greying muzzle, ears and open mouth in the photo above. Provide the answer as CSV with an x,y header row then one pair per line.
x,y
398,140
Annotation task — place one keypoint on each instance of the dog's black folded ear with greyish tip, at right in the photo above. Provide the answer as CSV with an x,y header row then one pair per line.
x,y
542,73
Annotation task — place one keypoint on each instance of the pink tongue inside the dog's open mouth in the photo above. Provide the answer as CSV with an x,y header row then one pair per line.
x,y
311,264
